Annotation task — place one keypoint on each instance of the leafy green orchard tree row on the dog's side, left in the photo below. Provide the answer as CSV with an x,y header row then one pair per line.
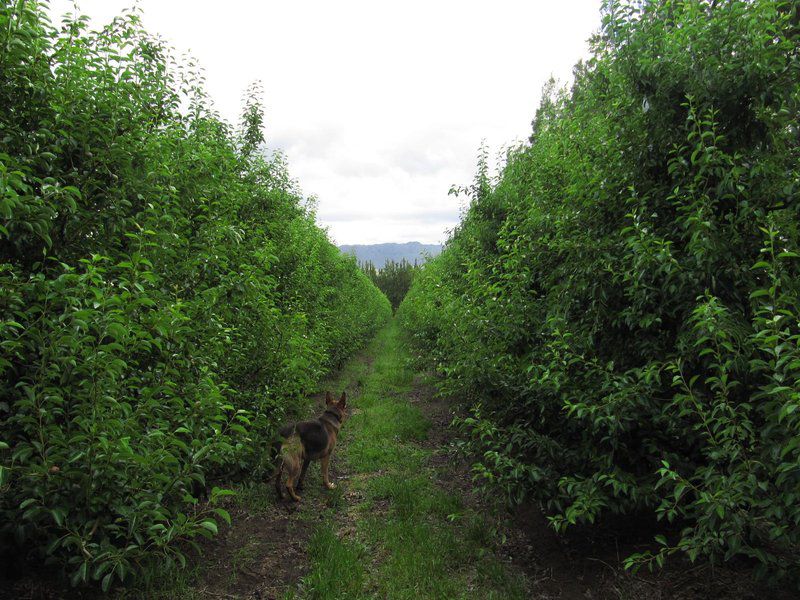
x,y
165,297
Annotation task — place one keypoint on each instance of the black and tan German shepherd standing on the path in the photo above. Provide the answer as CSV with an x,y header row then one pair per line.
x,y
305,441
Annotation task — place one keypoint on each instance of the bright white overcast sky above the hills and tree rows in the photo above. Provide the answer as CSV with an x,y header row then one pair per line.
x,y
379,106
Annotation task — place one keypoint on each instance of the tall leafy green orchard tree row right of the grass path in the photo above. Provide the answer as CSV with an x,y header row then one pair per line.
x,y
620,305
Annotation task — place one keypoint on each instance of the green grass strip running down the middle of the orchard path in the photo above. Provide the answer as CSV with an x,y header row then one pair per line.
x,y
405,537
